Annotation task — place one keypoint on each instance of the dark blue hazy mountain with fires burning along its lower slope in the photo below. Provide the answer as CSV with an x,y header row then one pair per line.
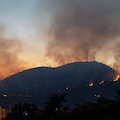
x,y
35,85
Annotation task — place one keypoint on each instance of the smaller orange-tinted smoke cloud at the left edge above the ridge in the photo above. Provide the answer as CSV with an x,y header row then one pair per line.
x,y
10,48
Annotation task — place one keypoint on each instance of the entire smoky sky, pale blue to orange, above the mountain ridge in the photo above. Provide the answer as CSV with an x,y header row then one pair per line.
x,y
51,33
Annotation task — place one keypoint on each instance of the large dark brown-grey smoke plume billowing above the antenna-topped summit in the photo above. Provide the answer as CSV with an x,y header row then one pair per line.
x,y
81,29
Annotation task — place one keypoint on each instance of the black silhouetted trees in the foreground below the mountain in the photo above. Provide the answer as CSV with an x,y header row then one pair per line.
x,y
102,109
